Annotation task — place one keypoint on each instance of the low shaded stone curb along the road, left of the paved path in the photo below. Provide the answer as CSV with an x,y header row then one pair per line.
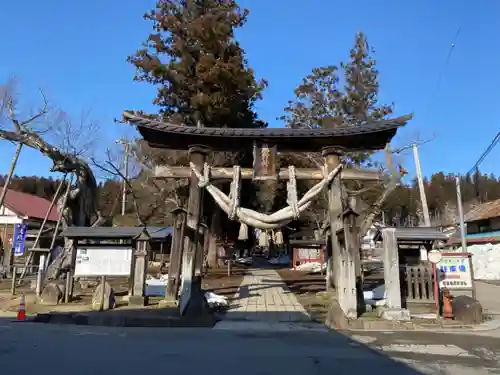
x,y
122,320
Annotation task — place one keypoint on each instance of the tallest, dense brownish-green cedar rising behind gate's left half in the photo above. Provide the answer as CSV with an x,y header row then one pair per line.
x,y
200,69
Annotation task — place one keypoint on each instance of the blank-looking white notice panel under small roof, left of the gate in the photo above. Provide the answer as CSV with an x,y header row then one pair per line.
x,y
103,261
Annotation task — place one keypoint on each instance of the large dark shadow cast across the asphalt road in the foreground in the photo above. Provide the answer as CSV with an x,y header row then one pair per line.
x,y
288,347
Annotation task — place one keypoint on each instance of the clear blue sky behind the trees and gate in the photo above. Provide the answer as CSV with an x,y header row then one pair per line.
x,y
76,51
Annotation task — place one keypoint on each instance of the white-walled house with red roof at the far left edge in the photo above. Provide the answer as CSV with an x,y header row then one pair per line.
x,y
23,208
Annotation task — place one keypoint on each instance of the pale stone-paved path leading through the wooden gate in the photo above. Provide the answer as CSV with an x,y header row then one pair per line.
x,y
263,302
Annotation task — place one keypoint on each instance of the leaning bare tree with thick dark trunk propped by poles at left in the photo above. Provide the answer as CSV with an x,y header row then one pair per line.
x,y
34,131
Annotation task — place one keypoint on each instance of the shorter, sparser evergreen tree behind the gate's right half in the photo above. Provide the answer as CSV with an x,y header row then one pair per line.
x,y
321,102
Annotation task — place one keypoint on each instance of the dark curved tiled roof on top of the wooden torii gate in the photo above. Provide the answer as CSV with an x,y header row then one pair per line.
x,y
370,136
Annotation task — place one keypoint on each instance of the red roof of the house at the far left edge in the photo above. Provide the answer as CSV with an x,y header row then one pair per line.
x,y
28,206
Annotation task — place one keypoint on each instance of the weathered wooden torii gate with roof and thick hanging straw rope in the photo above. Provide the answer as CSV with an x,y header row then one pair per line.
x,y
265,143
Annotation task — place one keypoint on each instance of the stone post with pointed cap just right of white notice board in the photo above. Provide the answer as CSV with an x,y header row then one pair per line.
x,y
140,259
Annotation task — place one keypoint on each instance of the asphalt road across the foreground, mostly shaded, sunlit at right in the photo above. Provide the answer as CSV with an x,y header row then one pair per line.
x,y
49,349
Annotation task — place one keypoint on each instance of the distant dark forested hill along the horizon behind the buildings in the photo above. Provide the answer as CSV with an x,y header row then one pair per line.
x,y
403,208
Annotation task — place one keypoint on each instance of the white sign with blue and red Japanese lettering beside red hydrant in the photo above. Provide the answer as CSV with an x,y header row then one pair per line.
x,y
455,271
